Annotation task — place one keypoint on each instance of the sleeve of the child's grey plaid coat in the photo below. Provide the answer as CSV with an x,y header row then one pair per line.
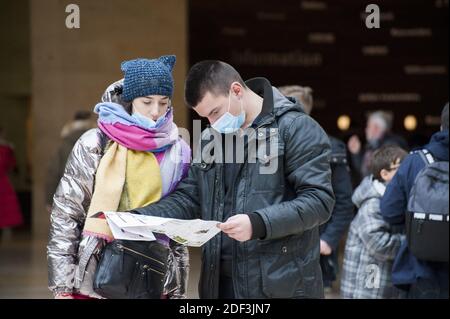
x,y
377,236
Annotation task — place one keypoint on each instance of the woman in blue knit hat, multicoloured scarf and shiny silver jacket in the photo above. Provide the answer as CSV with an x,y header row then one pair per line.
x,y
133,158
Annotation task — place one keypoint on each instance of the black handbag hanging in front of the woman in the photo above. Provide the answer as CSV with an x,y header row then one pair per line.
x,y
131,270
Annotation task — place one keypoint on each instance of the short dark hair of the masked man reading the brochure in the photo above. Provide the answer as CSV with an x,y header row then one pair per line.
x,y
211,76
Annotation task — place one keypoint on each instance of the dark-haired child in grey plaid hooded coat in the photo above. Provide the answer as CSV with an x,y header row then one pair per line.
x,y
371,244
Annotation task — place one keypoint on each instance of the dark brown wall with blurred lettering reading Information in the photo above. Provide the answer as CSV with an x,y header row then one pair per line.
x,y
401,67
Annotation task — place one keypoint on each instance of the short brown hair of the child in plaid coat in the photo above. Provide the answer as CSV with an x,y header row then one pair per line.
x,y
384,158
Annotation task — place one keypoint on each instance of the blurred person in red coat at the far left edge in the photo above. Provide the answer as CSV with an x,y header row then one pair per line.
x,y
10,213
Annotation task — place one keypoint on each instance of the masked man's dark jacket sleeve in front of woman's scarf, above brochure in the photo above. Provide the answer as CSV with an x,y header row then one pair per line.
x,y
183,203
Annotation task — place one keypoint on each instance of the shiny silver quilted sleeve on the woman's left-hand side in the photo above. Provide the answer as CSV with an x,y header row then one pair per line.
x,y
70,205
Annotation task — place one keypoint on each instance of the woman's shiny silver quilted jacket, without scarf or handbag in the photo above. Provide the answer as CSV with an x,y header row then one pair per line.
x,y
72,257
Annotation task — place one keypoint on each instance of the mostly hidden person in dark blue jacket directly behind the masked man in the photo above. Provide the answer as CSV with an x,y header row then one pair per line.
x,y
334,230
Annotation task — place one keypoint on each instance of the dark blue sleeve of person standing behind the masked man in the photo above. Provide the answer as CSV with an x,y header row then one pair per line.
x,y
342,214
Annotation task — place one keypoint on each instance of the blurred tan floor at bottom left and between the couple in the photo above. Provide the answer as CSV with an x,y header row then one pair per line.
x,y
23,269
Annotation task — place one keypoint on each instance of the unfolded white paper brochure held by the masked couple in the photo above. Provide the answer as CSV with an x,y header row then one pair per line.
x,y
129,226
